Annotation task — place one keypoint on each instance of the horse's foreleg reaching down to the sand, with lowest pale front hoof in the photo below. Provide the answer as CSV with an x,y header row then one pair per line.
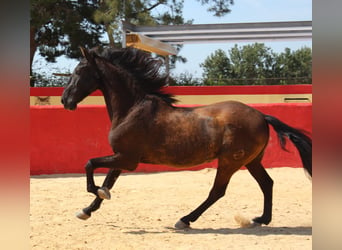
x,y
108,183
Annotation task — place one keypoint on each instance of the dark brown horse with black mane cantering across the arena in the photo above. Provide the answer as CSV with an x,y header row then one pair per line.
x,y
147,127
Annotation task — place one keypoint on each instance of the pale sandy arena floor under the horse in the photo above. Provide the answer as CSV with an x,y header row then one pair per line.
x,y
145,207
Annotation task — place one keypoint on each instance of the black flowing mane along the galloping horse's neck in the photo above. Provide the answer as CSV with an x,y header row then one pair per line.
x,y
144,68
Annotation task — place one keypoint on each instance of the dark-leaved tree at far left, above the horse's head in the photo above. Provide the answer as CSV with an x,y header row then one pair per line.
x,y
58,27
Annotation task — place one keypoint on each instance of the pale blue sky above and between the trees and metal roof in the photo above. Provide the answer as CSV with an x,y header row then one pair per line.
x,y
242,11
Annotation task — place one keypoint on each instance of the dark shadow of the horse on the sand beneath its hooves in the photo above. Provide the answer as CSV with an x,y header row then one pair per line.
x,y
258,231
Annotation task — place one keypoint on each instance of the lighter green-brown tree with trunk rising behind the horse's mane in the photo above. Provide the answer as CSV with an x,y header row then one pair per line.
x,y
147,12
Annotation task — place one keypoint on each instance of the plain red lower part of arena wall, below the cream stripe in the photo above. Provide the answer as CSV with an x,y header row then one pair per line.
x,y
62,141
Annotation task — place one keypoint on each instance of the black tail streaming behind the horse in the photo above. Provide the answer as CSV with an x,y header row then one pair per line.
x,y
302,142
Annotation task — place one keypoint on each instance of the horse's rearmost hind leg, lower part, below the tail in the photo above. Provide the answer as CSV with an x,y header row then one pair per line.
x,y
266,184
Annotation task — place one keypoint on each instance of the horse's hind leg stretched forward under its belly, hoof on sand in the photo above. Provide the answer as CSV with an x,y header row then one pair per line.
x,y
218,190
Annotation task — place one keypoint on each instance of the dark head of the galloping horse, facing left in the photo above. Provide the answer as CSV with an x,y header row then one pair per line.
x,y
84,80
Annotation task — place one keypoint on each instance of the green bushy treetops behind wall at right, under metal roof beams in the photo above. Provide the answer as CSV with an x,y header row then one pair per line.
x,y
257,64
